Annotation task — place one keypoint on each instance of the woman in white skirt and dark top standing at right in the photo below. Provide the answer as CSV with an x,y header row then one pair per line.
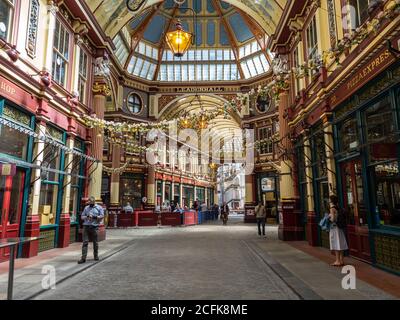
x,y
337,238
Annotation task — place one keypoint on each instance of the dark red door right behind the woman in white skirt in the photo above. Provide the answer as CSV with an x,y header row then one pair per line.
x,y
357,228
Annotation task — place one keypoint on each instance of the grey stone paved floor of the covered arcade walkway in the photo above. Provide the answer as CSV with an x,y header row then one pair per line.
x,y
209,261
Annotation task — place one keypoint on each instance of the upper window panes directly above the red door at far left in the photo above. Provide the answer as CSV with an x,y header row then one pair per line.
x,y
13,142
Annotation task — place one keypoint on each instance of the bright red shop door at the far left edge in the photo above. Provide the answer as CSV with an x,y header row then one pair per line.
x,y
11,197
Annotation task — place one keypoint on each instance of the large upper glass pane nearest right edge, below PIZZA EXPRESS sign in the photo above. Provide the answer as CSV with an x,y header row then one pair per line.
x,y
380,130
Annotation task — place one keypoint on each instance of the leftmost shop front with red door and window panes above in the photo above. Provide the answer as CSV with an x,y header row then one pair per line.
x,y
15,146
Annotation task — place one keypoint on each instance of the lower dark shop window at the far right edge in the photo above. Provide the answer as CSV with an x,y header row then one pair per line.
x,y
387,189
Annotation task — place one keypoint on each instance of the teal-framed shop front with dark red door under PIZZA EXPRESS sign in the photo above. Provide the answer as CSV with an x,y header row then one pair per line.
x,y
367,157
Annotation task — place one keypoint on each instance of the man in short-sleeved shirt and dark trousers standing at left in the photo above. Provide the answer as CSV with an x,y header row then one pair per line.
x,y
91,217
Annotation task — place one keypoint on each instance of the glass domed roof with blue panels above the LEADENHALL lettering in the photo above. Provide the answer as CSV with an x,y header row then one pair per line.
x,y
228,45
